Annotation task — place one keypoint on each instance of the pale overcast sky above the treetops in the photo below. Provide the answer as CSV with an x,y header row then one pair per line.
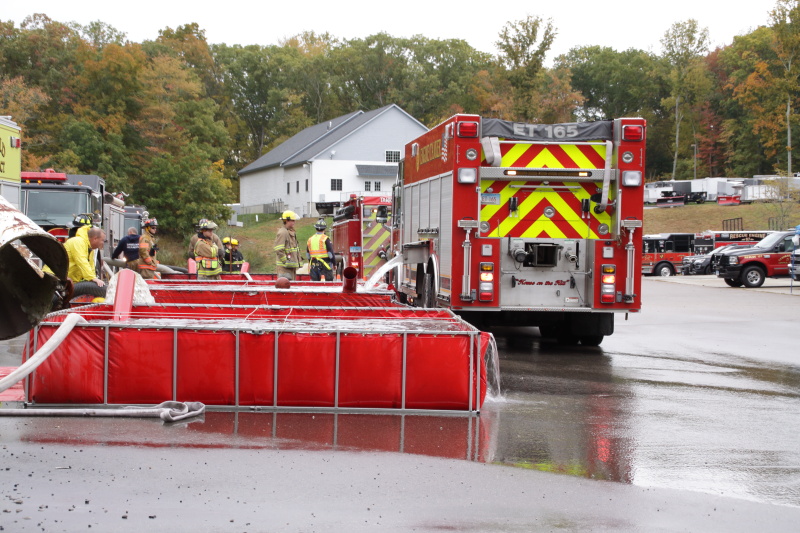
x,y
620,24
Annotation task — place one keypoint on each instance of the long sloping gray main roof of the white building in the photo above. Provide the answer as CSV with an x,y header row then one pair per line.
x,y
312,141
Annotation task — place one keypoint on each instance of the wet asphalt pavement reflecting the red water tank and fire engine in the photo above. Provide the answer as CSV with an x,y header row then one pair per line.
x,y
686,419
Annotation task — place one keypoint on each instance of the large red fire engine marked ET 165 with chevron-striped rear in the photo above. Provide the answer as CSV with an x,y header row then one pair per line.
x,y
522,224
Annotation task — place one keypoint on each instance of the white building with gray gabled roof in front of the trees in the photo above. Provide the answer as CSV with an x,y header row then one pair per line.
x,y
315,170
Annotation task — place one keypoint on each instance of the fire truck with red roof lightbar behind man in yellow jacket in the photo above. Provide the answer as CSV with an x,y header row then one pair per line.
x,y
53,199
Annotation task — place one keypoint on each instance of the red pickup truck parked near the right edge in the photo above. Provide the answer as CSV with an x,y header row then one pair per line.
x,y
750,266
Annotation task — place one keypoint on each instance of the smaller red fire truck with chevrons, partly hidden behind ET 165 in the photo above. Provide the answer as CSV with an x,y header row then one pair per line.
x,y
361,235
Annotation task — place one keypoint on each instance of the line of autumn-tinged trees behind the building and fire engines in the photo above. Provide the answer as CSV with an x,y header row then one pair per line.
x,y
171,121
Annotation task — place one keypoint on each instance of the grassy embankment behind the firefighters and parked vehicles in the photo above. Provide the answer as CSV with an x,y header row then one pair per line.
x,y
256,238
